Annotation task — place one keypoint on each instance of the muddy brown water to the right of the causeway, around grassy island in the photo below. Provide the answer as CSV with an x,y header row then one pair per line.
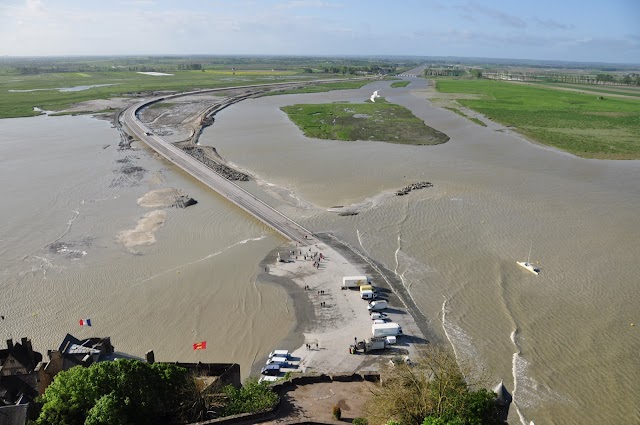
x,y
562,340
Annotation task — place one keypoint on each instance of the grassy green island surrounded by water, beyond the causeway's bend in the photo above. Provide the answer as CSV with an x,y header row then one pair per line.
x,y
380,121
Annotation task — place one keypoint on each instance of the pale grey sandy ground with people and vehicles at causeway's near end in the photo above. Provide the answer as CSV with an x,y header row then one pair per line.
x,y
332,318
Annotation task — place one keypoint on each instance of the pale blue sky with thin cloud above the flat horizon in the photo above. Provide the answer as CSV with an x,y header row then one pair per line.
x,y
568,30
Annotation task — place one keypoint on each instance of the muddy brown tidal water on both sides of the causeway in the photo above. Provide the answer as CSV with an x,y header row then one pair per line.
x,y
75,243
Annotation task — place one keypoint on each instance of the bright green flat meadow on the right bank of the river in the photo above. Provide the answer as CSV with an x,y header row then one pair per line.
x,y
582,124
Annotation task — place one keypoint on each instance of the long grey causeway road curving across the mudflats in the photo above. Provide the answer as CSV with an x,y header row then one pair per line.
x,y
224,187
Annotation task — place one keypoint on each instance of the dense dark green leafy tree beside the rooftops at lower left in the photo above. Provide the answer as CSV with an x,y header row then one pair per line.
x,y
117,392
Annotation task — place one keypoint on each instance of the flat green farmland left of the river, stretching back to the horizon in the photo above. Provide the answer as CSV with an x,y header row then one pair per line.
x,y
31,82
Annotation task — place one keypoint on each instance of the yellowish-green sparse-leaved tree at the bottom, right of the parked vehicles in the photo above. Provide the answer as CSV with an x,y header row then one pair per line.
x,y
433,391
